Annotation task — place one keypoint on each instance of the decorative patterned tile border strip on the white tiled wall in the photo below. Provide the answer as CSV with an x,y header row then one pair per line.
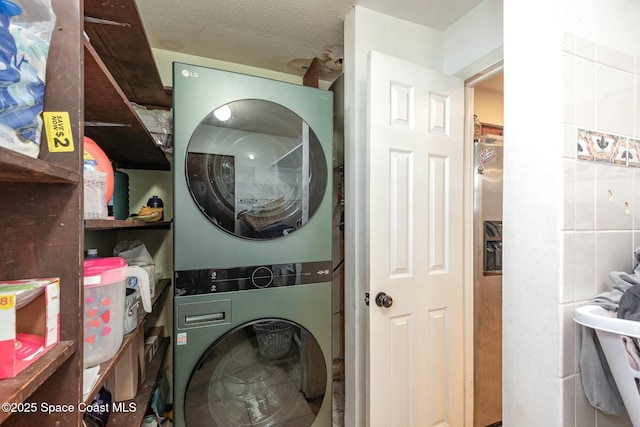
x,y
602,147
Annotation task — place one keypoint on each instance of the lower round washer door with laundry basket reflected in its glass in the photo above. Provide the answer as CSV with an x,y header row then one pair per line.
x,y
268,372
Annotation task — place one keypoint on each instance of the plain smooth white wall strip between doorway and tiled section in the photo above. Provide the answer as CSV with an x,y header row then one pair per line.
x,y
532,178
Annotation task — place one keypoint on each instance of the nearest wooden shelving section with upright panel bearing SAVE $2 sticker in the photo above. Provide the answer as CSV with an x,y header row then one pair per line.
x,y
41,231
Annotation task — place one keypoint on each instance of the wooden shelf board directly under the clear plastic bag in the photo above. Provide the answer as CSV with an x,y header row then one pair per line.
x,y
16,167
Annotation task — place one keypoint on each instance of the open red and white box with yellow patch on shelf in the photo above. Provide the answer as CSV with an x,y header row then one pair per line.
x,y
29,322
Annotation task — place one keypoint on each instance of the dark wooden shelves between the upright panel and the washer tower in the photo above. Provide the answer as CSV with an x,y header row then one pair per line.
x,y
120,70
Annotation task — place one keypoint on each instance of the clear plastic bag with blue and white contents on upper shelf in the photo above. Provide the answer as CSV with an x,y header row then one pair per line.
x,y
26,27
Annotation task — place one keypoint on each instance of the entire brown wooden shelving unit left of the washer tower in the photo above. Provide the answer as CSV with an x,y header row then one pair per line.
x,y
41,221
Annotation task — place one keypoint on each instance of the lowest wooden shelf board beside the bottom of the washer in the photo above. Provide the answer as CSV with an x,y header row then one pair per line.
x,y
145,391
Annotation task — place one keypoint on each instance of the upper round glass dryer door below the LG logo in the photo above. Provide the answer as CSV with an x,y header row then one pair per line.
x,y
256,169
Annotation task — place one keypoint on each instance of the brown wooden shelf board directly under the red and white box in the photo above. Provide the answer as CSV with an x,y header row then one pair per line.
x,y
19,388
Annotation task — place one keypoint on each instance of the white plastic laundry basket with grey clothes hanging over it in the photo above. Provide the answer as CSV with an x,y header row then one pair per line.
x,y
609,331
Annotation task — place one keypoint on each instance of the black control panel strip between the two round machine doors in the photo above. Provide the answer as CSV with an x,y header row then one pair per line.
x,y
216,280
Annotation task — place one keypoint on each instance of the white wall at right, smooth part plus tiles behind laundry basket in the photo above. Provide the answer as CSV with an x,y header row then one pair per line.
x,y
563,233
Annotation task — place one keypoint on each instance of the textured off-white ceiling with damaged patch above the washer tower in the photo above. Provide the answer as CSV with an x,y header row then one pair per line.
x,y
278,35
